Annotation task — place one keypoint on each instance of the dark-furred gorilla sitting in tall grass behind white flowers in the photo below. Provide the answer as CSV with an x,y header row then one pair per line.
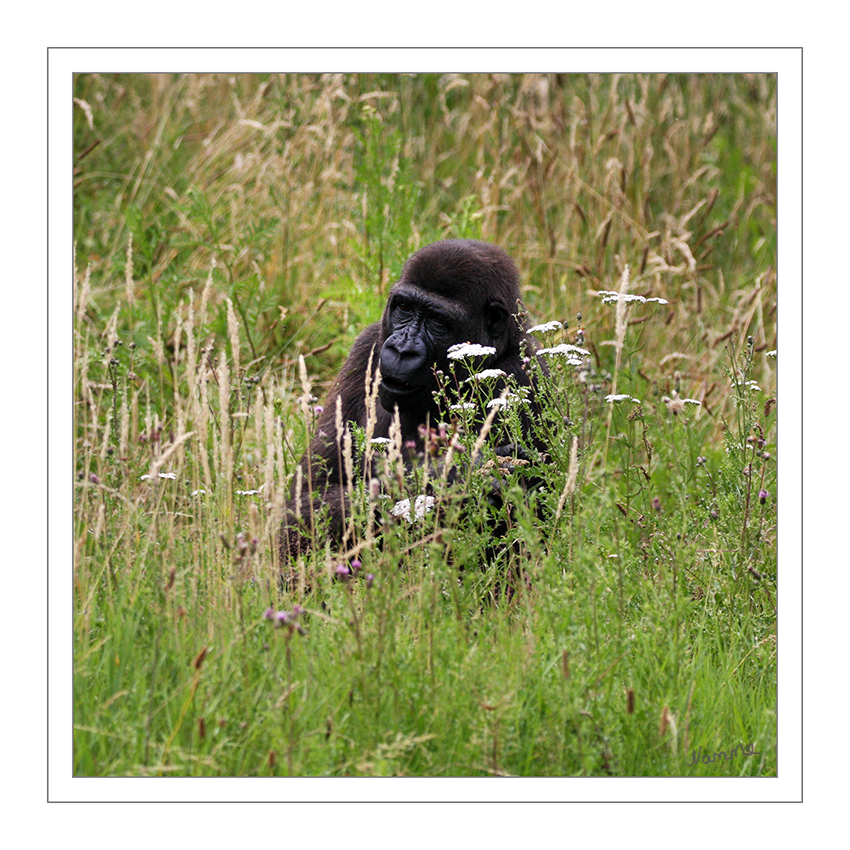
x,y
450,292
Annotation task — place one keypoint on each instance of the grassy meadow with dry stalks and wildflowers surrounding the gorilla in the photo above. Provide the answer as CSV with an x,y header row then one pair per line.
x,y
233,234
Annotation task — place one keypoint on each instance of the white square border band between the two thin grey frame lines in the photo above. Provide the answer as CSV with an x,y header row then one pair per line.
x,y
63,62
